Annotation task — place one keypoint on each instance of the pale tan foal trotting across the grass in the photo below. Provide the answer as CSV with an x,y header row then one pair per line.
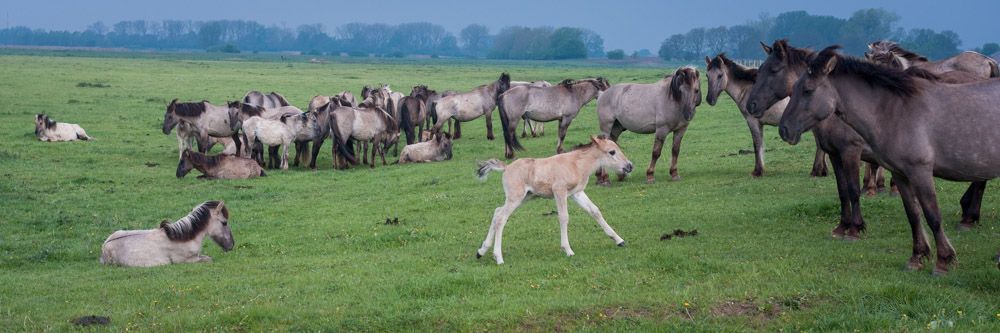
x,y
559,177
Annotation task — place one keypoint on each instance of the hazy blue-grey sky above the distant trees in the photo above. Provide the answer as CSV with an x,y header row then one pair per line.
x,y
629,25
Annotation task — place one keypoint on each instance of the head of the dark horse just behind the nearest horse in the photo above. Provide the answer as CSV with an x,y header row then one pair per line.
x,y
776,76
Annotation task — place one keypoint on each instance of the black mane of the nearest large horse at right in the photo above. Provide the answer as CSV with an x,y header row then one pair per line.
x,y
901,83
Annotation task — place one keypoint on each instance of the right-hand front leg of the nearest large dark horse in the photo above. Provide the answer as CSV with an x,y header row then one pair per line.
x,y
922,185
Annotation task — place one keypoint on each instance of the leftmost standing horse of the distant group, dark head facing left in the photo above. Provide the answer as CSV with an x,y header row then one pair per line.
x,y
209,120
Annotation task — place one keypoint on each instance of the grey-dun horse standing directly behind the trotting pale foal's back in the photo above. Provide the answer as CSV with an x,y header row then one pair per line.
x,y
561,102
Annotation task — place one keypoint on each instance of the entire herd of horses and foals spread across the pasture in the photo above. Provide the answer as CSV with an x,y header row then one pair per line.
x,y
893,109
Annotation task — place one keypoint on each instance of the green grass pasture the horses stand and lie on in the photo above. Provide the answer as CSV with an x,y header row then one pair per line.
x,y
312,255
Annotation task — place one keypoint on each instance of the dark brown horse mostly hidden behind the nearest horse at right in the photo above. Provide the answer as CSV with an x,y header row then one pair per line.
x,y
845,147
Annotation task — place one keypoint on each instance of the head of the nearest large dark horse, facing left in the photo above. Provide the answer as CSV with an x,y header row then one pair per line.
x,y
813,97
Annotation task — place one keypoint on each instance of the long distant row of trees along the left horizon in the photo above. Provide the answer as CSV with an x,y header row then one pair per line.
x,y
358,39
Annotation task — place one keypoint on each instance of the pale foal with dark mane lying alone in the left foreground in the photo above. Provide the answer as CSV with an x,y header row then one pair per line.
x,y
176,242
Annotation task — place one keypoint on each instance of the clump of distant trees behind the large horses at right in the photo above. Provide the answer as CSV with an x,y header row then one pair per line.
x,y
806,30
